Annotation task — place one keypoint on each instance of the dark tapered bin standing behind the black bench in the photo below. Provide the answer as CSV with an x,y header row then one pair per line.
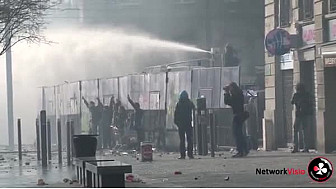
x,y
85,145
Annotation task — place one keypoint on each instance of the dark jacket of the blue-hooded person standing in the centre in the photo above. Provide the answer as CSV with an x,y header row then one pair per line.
x,y
183,113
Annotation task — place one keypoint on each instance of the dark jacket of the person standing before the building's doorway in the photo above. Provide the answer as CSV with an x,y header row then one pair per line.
x,y
303,104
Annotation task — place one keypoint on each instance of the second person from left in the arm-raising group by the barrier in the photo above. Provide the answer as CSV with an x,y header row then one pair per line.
x,y
104,126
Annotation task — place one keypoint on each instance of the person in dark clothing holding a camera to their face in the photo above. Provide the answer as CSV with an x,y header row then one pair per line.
x,y
234,97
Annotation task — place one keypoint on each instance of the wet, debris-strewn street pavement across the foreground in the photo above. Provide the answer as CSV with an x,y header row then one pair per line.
x,y
203,171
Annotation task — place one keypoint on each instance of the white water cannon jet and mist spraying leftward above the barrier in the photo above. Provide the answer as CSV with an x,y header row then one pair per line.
x,y
79,55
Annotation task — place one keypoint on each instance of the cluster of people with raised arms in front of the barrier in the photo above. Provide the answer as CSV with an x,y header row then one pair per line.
x,y
113,118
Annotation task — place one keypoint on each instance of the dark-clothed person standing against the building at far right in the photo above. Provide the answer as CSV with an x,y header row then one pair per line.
x,y
304,108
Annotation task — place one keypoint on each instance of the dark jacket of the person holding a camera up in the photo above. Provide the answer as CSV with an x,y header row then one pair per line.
x,y
236,101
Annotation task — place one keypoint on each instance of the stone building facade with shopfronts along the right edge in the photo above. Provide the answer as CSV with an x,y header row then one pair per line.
x,y
312,62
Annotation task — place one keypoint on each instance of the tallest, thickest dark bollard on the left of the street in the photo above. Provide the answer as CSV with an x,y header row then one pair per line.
x,y
44,138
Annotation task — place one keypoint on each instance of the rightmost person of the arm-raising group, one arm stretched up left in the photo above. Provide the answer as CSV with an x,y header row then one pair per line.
x,y
138,121
